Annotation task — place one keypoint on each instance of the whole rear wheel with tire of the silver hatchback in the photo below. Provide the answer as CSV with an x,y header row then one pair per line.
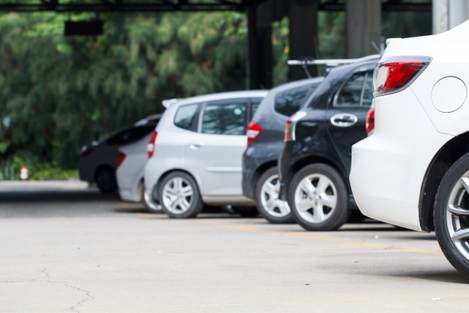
x,y
179,196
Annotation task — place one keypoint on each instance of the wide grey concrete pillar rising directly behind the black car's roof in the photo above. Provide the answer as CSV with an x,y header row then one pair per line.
x,y
363,27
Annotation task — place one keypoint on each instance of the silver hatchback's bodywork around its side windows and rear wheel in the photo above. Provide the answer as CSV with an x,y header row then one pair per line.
x,y
213,160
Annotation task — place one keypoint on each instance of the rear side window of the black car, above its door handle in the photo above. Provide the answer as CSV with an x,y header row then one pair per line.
x,y
357,91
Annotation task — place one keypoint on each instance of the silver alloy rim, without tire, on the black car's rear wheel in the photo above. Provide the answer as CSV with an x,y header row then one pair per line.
x,y
315,198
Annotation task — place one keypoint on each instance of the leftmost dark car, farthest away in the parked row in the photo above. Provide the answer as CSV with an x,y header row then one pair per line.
x,y
97,162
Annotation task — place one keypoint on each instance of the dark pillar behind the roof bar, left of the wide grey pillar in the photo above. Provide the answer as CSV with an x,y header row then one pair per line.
x,y
303,34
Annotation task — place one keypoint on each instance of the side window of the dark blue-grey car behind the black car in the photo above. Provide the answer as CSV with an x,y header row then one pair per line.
x,y
290,101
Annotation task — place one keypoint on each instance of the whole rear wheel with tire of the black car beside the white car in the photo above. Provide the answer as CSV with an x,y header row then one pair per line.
x,y
323,206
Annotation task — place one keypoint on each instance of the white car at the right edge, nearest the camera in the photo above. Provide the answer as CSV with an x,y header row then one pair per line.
x,y
413,170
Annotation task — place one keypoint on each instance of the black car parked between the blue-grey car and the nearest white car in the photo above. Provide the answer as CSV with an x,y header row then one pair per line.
x,y
315,162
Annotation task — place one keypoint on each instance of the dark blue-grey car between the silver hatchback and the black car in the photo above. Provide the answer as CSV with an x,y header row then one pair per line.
x,y
265,142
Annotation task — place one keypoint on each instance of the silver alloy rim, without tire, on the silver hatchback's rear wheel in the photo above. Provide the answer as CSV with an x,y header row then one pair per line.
x,y
177,195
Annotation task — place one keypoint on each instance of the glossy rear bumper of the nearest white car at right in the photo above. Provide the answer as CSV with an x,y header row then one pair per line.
x,y
388,168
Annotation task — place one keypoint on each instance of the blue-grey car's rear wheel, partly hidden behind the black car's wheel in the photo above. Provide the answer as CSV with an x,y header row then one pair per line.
x,y
269,205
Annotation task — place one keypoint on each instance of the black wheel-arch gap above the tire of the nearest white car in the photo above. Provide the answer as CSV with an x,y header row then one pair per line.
x,y
441,162
